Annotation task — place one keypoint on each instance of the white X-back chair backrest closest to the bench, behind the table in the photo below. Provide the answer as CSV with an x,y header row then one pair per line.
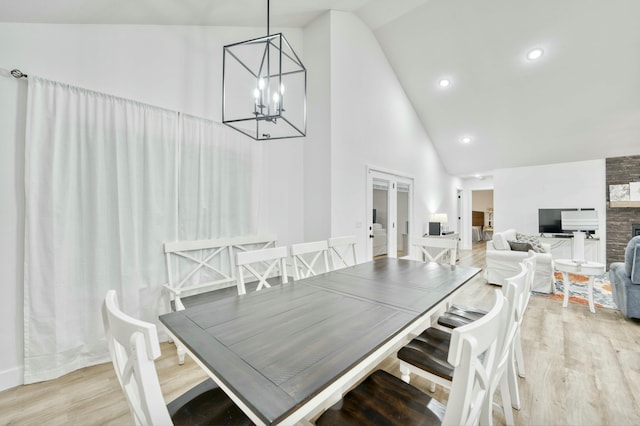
x,y
262,264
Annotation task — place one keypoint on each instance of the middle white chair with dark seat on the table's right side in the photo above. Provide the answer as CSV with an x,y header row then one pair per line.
x,y
427,354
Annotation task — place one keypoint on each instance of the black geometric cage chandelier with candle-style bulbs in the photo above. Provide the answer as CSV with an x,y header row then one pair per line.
x,y
264,88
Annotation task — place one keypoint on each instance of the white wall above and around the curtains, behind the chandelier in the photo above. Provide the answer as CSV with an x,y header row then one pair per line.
x,y
174,67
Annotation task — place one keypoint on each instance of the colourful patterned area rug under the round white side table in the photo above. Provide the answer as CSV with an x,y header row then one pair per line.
x,y
578,292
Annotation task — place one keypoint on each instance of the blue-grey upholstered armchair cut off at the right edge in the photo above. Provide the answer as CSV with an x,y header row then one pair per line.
x,y
625,280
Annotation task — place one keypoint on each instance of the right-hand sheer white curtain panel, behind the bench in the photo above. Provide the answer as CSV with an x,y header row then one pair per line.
x,y
220,172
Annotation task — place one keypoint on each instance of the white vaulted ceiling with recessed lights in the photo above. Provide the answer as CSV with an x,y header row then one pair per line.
x,y
579,101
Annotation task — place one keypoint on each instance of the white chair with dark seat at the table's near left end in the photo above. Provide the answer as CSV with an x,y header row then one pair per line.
x,y
133,345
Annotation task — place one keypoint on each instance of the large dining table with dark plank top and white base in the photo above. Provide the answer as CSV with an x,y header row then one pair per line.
x,y
286,353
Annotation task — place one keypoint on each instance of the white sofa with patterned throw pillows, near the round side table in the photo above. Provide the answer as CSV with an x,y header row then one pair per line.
x,y
507,249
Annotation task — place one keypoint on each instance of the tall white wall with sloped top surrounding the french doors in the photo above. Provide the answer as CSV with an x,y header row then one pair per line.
x,y
373,123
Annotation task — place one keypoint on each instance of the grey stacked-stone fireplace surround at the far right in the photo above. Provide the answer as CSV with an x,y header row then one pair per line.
x,y
620,220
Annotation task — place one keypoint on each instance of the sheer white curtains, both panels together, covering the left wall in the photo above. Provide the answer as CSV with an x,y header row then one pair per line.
x,y
102,179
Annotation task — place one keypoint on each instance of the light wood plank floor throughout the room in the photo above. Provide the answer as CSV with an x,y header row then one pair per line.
x,y
581,369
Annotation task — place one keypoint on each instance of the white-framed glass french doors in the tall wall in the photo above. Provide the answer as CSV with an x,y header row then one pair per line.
x,y
389,207
